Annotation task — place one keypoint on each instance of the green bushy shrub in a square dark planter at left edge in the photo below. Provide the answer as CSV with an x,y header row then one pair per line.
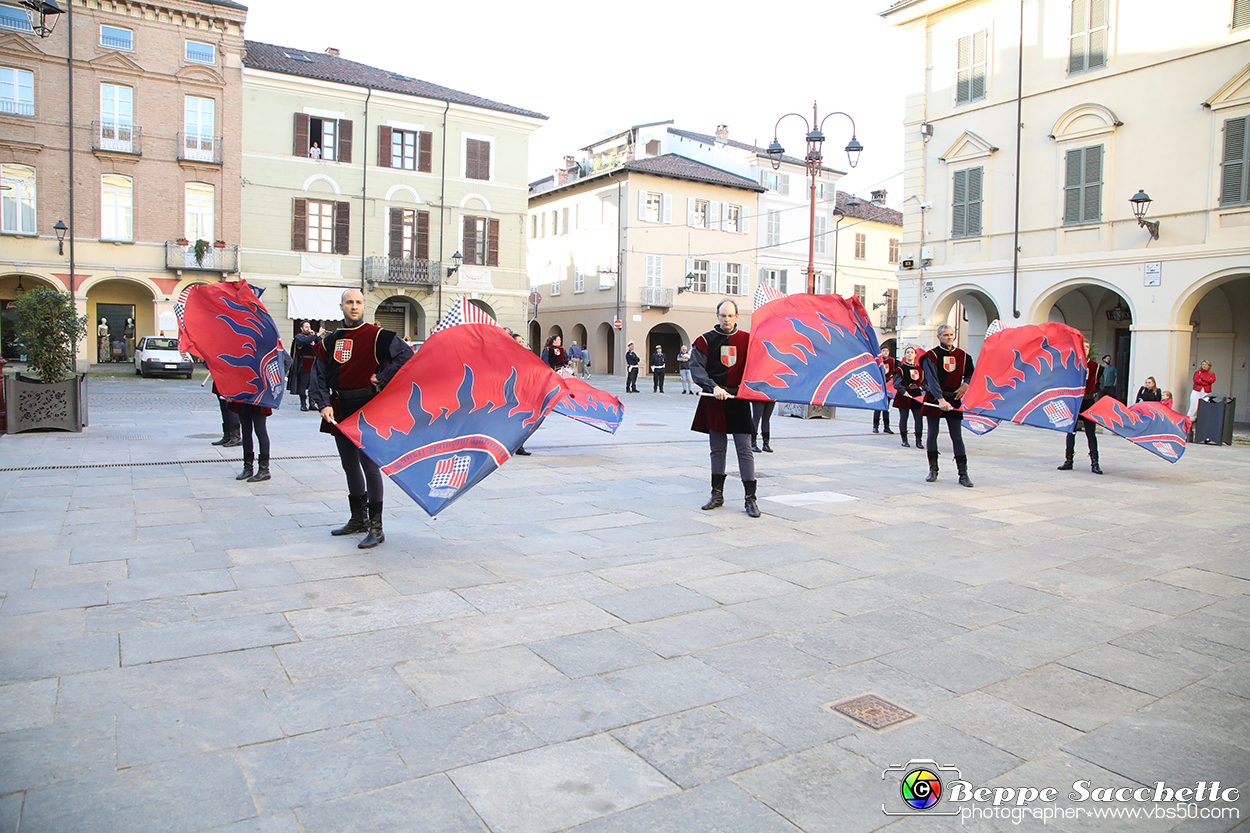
x,y
52,395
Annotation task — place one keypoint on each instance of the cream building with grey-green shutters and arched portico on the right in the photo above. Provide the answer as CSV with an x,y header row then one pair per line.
x,y
1111,103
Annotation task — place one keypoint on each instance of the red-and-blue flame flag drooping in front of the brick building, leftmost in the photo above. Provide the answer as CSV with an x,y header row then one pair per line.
x,y
228,327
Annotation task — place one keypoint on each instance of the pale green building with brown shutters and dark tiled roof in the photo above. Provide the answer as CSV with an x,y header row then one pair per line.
x,y
357,177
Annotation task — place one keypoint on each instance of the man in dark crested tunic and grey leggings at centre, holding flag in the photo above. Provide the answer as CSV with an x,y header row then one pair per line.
x,y
718,360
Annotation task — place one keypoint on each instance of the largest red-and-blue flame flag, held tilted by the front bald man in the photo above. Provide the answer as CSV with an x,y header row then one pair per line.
x,y
454,413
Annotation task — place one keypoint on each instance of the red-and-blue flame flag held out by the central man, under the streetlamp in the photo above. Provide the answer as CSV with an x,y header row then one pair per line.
x,y
814,351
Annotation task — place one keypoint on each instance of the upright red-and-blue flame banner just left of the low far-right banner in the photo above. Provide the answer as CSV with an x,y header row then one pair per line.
x,y
1032,376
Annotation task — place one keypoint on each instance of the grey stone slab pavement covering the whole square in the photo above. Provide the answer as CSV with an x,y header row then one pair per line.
x,y
577,646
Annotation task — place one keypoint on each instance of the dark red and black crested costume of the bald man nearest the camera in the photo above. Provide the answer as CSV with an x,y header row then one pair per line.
x,y
342,380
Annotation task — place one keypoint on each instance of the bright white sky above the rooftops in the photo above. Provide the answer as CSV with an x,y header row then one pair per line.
x,y
596,69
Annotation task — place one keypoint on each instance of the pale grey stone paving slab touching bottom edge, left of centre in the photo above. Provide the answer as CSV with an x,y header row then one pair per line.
x,y
557,787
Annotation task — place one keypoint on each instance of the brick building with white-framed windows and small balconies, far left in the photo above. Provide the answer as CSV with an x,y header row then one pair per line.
x,y
157,127
